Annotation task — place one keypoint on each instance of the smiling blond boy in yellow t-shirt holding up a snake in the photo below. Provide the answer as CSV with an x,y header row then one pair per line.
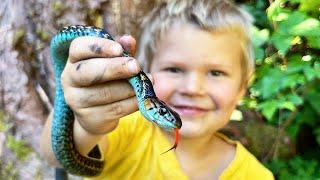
x,y
200,58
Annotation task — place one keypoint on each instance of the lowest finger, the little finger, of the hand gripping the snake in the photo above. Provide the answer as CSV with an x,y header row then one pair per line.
x,y
95,119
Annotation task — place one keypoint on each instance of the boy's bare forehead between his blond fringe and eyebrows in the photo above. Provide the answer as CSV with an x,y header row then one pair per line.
x,y
196,43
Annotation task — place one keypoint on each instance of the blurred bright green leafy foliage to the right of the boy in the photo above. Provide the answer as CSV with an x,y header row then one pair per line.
x,y
286,88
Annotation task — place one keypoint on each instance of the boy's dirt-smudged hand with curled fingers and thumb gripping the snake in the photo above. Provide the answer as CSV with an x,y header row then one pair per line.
x,y
94,82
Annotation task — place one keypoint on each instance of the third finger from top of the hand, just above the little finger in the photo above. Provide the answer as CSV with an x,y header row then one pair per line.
x,y
100,94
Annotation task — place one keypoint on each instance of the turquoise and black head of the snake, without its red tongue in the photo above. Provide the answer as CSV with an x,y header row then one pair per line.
x,y
158,112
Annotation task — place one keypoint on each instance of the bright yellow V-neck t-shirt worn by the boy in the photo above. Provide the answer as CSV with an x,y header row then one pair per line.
x,y
134,149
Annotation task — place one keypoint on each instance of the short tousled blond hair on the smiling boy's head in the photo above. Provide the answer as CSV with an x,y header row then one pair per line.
x,y
210,15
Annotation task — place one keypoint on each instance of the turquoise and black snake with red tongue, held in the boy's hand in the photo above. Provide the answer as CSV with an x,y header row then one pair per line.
x,y
62,142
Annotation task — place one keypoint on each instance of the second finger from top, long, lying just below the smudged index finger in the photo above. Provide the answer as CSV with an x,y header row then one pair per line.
x,y
98,70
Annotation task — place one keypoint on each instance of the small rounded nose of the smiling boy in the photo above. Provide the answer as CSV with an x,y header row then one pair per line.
x,y
193,84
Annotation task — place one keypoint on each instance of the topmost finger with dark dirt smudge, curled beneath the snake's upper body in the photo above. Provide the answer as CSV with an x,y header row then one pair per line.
x,y
87,47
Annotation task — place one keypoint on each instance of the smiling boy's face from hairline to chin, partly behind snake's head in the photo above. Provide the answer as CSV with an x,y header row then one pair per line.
x,y
198,74
